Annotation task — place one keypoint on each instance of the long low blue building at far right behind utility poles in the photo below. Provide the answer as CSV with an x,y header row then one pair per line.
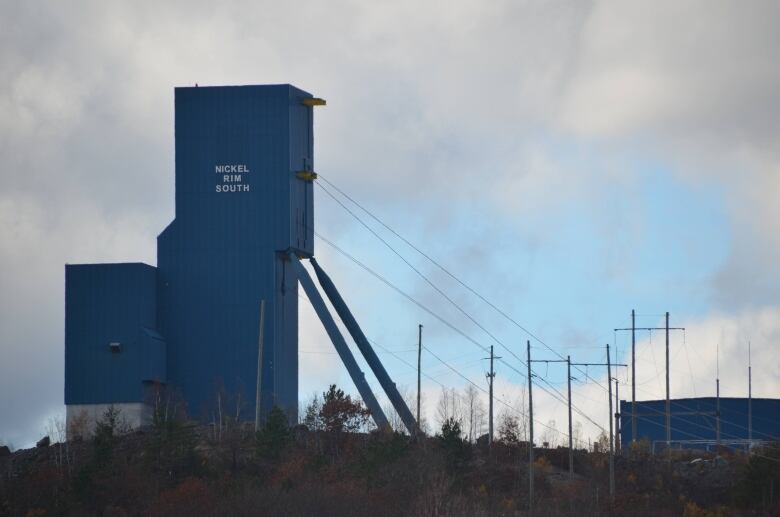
x,y
702,423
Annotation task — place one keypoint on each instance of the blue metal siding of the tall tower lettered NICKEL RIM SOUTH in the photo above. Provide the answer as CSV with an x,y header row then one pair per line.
x,y
220,256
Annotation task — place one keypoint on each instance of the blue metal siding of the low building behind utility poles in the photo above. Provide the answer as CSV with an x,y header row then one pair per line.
x,y
694,419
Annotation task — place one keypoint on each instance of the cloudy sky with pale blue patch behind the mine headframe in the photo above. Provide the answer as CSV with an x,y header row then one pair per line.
x,y
569,161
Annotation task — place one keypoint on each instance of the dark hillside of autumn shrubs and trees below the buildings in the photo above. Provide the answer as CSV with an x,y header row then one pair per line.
x,y
339,467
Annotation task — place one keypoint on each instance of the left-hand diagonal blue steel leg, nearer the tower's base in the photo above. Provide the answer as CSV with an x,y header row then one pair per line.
x,y
338,342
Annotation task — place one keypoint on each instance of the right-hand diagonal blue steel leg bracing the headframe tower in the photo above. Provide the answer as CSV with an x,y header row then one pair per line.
x,y
365,348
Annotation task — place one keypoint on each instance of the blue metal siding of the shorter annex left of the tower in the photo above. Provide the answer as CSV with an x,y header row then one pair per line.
x,y
107,303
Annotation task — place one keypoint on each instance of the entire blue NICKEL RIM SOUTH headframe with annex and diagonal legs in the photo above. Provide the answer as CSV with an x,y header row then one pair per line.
x,y
244,220
